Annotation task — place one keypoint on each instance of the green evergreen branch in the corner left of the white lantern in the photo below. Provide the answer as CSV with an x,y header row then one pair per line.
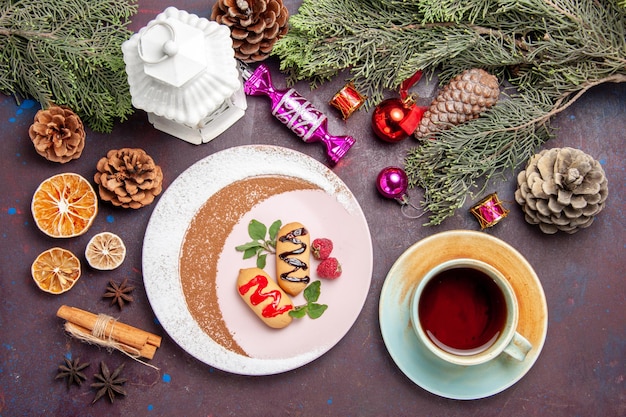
x,y
68,53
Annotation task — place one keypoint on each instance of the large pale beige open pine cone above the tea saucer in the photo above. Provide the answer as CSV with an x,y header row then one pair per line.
x,y
561,189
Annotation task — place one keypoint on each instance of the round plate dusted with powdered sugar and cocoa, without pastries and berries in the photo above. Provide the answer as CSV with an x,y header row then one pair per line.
x,y
329,211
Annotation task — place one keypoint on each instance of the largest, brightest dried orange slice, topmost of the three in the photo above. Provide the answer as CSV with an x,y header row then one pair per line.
x,y
64,205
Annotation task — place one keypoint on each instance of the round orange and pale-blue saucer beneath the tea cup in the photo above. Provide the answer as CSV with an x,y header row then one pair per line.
x,y
420,365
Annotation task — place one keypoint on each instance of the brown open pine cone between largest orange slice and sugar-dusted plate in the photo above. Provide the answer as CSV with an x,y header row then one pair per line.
x,y
128,178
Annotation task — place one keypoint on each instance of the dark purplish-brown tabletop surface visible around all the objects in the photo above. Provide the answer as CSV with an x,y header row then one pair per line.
x,y
581,371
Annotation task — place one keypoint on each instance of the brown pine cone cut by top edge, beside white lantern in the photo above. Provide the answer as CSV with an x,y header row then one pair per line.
x,y
255,25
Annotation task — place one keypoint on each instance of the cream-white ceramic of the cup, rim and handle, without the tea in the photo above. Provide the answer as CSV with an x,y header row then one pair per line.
x,y
507,340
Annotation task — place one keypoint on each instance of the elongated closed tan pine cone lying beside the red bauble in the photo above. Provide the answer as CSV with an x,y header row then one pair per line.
x,y
463,99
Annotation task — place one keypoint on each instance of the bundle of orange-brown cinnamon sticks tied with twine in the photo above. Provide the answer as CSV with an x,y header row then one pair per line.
x,y
106,331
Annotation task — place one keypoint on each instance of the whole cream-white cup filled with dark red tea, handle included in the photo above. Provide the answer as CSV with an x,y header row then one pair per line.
x,y
465,312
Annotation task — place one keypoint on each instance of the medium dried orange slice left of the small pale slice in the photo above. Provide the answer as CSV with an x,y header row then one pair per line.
x,y
56,270
